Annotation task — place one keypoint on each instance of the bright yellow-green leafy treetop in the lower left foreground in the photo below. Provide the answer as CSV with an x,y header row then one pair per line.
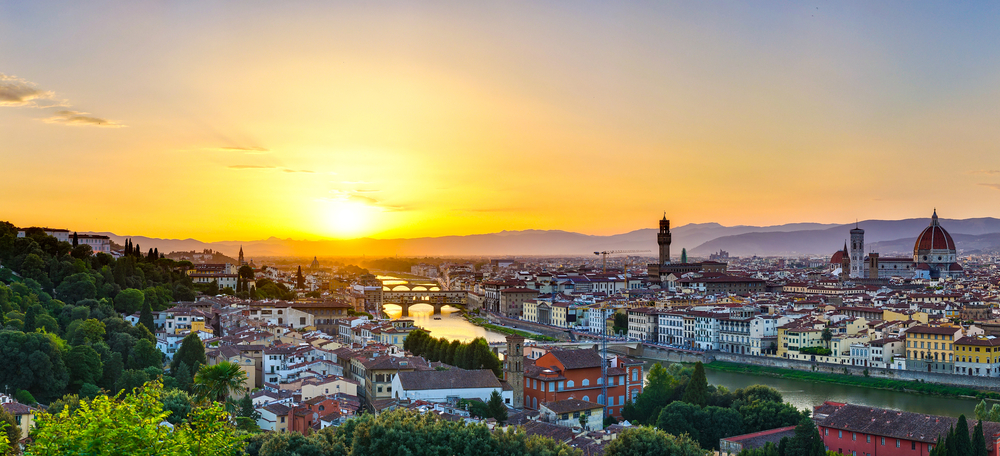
x,y
107,426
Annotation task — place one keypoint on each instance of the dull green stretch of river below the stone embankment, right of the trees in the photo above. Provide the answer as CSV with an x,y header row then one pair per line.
x,y
805,395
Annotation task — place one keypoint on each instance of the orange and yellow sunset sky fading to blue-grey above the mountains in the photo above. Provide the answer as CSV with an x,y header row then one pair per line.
x,y
333,120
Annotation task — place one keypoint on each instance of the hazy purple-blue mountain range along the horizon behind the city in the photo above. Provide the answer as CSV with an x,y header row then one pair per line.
x,y
700,239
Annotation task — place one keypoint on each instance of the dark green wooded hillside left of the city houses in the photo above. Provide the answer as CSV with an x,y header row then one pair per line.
x,y
60,314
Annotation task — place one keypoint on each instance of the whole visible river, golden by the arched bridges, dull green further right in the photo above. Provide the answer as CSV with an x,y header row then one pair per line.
x,y
802,394
